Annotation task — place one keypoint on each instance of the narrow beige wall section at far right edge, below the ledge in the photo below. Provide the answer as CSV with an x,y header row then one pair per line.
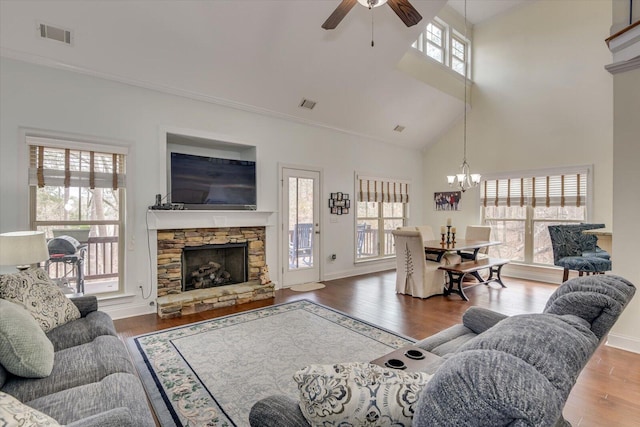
x,y
626,201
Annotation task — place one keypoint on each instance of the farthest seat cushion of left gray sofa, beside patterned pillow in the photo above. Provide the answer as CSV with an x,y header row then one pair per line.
x,y
81,331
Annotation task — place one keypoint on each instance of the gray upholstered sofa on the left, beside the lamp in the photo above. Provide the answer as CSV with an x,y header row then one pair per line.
x,y
92,381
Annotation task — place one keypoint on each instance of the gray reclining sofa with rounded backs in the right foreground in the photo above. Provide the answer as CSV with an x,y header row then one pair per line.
x,y
495,370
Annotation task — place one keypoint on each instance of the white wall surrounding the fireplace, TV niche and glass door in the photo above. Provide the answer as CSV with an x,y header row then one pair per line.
x,y
62,101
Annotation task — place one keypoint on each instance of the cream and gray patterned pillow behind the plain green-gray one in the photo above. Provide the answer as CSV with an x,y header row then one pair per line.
x,y
40,296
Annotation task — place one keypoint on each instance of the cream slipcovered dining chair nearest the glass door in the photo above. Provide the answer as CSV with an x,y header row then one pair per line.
x,y
415,275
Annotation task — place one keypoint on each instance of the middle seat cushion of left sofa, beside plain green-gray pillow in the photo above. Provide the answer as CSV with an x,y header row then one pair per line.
x,y
75,366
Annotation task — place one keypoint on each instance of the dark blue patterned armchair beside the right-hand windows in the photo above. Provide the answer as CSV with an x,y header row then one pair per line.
x,y
574,250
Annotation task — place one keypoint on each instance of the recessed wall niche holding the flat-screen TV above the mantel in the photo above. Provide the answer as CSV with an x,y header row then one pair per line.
x,y
209,174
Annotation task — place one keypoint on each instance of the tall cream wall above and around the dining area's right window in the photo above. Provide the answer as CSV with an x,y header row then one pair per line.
x,y
541,98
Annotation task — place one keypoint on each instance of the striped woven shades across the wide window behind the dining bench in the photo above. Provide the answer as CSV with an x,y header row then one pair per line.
x,y
536,191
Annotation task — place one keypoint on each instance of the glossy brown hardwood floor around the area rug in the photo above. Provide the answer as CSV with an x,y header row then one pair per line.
x,y
607,392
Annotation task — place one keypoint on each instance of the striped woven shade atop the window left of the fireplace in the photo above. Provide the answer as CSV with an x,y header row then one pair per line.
x,y
74,167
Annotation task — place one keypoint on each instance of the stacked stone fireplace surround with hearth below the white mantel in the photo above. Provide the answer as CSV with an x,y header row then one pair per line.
x,y
193,264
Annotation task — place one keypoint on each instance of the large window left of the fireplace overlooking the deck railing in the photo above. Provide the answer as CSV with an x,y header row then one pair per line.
x,y
77,189
